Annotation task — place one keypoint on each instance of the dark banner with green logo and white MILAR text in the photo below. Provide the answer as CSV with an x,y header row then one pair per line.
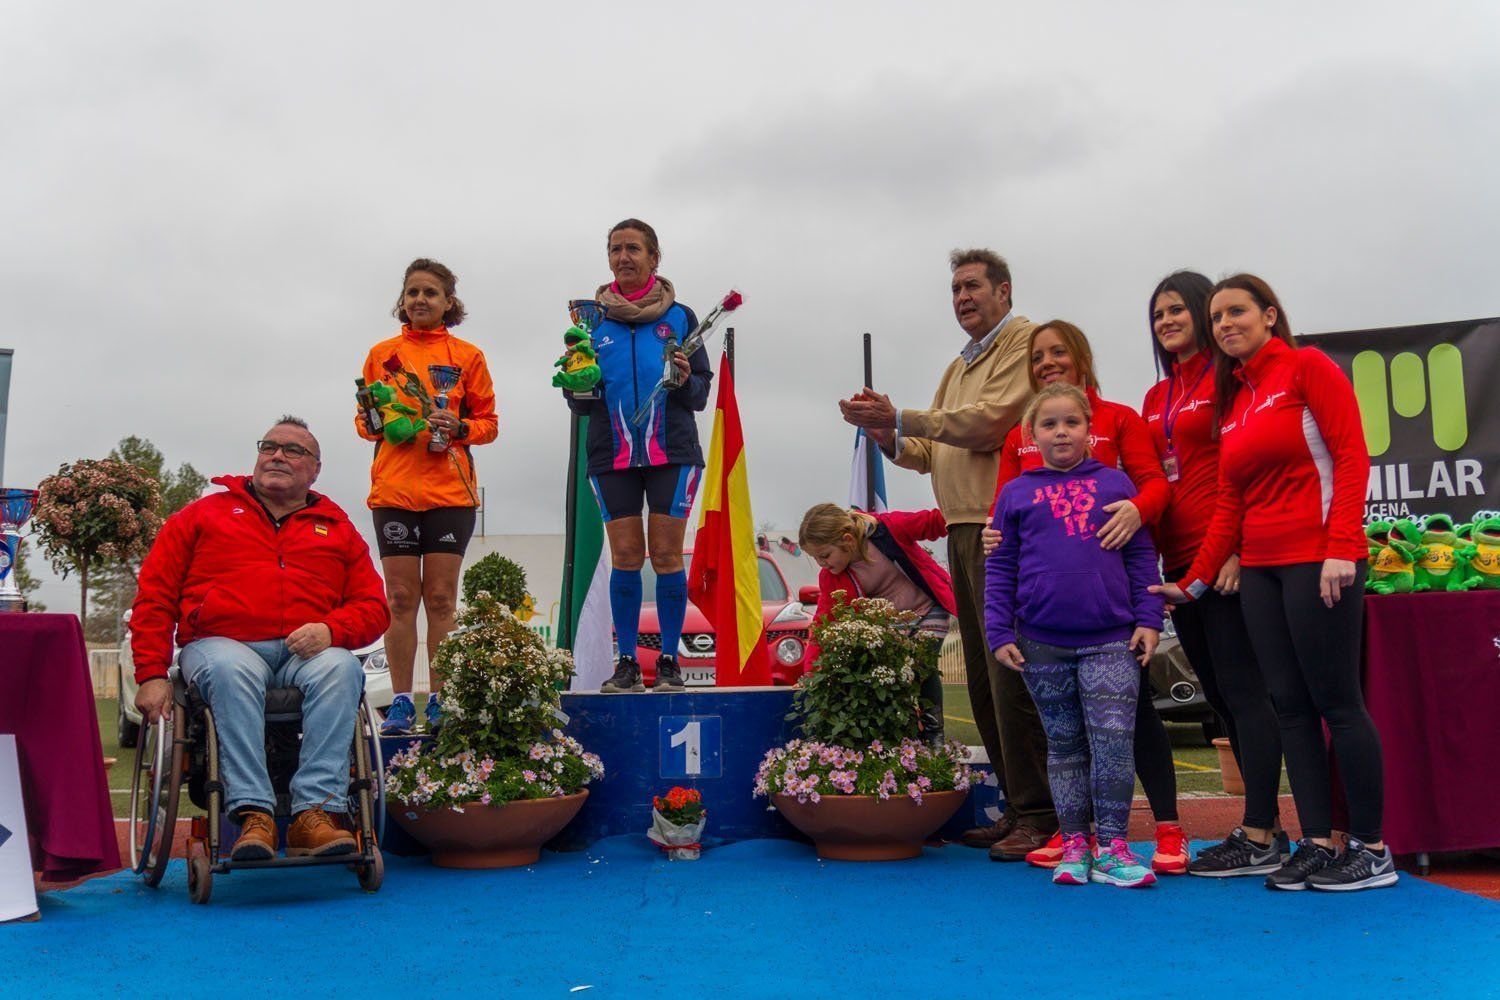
x,y
1430,401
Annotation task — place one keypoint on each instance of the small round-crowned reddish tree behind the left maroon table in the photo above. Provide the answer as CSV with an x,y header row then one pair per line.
x,y
94,515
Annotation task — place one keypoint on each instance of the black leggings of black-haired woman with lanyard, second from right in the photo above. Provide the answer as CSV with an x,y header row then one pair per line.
x,y
1213,633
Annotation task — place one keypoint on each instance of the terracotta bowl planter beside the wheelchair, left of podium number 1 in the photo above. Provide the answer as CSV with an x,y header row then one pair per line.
x,y
488,836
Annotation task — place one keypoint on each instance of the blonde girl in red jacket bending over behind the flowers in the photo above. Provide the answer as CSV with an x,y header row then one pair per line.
x,y
878,555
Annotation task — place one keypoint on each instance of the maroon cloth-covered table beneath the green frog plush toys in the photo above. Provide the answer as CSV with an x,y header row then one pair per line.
x,y
1432,668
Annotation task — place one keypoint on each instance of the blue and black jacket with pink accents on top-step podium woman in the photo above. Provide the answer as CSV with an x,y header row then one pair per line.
x,y
631,364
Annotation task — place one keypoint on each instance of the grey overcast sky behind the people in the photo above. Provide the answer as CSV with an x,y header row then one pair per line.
x,y
208,208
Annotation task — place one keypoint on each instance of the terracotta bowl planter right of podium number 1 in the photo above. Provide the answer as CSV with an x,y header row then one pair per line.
x,y
865,828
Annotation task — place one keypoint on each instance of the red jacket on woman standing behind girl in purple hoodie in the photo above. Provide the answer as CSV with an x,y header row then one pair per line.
x,y
1118,439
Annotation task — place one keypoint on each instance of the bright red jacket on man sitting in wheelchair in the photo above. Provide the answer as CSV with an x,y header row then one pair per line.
x,y
221,567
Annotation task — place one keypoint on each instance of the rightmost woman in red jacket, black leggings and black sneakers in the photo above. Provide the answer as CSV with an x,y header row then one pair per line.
x,y
1294,472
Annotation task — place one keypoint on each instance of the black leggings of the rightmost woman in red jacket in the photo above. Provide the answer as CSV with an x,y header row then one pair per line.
x,y
1310,657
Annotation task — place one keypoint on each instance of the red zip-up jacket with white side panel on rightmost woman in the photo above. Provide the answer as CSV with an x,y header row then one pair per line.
x,y
1294,469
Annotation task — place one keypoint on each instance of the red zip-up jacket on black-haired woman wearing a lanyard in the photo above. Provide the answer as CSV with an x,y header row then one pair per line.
x,y
1184,406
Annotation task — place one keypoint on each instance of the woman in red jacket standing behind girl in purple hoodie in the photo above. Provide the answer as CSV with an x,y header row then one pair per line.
x,y
1118,437
